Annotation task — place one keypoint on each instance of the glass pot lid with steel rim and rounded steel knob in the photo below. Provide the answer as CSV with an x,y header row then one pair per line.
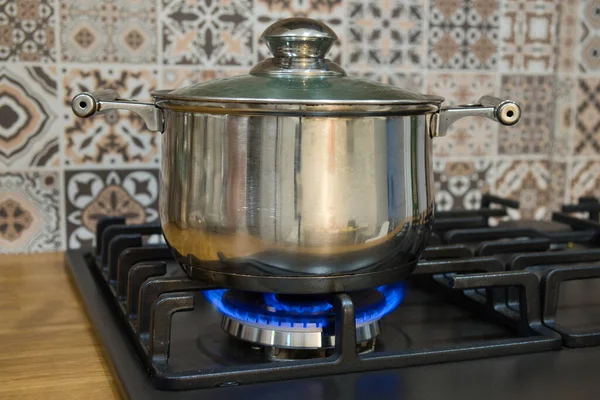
x,y
298,73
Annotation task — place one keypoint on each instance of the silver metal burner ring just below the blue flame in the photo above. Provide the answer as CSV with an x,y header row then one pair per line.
x,y
290,338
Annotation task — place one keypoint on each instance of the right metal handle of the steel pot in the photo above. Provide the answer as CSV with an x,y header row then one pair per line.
x,y
506,112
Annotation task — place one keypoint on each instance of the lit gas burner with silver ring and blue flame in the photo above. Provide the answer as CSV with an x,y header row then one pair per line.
x,y
297,326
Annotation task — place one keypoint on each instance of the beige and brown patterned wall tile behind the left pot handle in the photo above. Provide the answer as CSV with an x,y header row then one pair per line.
x,y
111,138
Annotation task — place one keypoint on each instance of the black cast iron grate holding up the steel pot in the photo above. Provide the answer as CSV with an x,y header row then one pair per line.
x,y
148,292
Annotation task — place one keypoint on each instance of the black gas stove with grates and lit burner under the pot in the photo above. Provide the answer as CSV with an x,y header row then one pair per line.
x,y
486,287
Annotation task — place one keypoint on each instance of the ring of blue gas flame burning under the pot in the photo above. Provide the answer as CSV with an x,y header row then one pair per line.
x,y
287,315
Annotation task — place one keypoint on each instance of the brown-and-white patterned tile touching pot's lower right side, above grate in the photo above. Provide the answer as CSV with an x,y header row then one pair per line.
x,y
460,184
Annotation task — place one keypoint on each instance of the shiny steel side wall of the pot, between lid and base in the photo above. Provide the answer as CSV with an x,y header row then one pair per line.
x,y
269,189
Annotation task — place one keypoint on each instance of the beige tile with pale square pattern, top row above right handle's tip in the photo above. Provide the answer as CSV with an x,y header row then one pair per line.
x,y
528,35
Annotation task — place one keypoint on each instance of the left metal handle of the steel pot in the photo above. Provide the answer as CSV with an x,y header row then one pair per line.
x,y
90,103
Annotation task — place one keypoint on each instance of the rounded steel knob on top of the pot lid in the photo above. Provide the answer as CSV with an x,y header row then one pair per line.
x,y
299,38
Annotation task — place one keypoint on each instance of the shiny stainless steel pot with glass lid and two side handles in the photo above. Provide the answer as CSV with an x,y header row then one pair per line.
x,y
296,178
